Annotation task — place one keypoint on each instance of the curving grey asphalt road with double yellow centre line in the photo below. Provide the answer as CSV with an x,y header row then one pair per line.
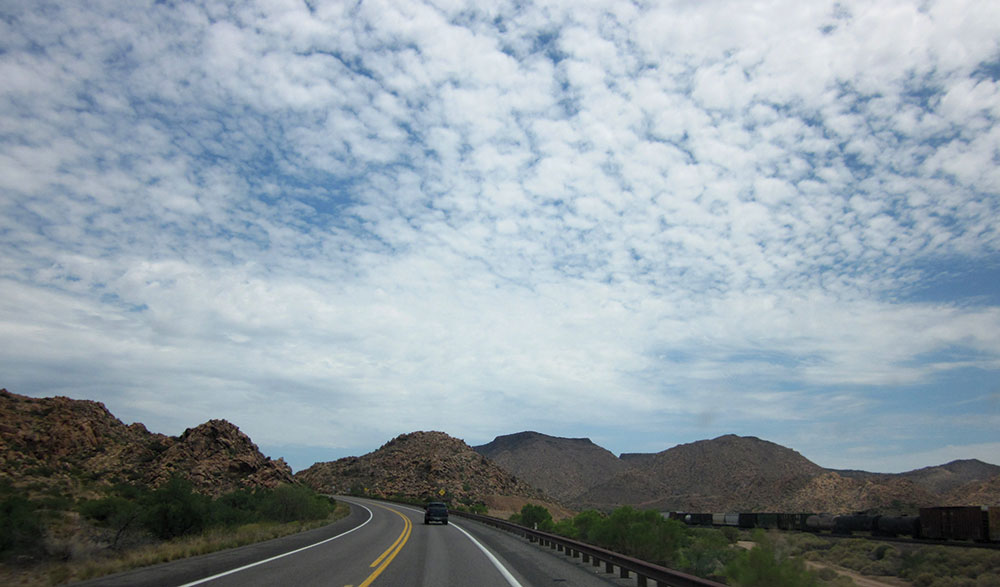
x,y
378,544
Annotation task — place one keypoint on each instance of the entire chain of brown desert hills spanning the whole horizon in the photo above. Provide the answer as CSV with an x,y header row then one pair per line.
x,y
69,447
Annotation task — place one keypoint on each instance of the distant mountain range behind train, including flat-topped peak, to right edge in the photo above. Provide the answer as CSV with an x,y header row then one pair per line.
x,y
732,473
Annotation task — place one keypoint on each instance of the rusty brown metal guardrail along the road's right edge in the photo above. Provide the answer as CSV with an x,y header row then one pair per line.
x,y
626,565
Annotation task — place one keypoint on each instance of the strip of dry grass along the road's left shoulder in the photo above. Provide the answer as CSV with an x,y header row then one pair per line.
x,y
105,562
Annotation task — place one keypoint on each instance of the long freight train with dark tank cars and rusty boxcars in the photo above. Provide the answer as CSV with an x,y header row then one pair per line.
x,y
975,523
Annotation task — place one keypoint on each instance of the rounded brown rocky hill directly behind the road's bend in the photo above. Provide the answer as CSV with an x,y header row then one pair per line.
x,y
425,466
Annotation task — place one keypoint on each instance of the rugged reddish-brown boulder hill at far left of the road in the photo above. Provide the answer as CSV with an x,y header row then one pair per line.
x,y
69,446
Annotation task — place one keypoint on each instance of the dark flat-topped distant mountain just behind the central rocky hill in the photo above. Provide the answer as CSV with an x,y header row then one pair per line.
x,y
562,467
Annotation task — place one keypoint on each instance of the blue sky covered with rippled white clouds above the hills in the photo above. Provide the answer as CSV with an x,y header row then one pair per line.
x,y
645,223
